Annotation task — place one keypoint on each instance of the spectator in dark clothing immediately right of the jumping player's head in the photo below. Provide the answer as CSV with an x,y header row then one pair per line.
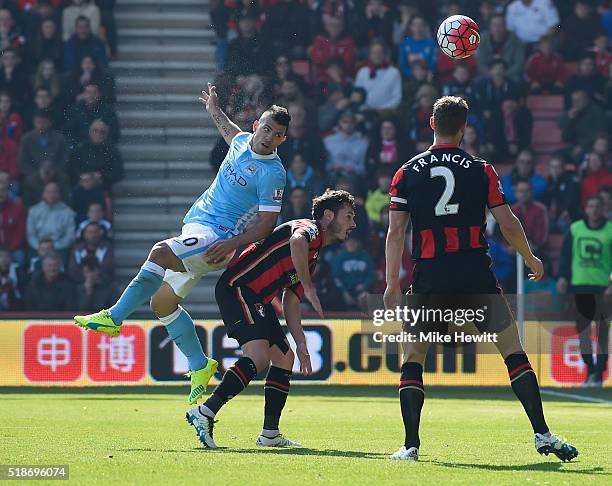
x,y
299,139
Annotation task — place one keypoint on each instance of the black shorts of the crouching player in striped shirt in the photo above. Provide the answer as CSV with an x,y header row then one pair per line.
x,y
246,318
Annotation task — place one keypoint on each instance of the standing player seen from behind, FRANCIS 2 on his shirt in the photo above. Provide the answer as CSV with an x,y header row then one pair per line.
x,y
445,192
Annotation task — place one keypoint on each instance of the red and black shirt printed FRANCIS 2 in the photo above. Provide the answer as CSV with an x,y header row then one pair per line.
x,y
446,191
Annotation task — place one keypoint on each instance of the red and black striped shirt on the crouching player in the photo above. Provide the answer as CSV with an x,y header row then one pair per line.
x,y
266,267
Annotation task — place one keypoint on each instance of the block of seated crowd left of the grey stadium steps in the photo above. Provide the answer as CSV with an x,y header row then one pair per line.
x,y
58,154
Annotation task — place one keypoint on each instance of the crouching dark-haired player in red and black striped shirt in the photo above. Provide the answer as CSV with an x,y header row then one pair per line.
x,y
281,264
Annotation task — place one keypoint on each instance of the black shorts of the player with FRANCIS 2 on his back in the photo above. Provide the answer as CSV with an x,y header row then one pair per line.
x,y
464,284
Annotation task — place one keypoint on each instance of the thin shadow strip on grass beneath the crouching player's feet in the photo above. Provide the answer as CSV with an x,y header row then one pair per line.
x,y
291,451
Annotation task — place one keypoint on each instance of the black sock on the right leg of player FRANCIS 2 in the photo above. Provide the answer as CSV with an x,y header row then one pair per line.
x,y
525,386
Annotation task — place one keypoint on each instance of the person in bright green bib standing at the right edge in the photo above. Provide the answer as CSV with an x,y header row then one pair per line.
x,y
585,272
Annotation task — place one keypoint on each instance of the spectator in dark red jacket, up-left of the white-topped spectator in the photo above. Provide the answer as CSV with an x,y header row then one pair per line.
x,y
333,43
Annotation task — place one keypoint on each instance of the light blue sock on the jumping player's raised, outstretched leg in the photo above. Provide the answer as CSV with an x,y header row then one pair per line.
x,y
139,291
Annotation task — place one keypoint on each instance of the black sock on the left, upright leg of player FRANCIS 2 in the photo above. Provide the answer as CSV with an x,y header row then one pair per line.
x,y
412,396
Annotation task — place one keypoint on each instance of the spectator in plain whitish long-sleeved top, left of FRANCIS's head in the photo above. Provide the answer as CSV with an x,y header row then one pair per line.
x,y
380,80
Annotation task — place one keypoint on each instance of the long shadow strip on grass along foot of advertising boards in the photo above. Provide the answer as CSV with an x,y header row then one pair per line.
x,y
298,389
